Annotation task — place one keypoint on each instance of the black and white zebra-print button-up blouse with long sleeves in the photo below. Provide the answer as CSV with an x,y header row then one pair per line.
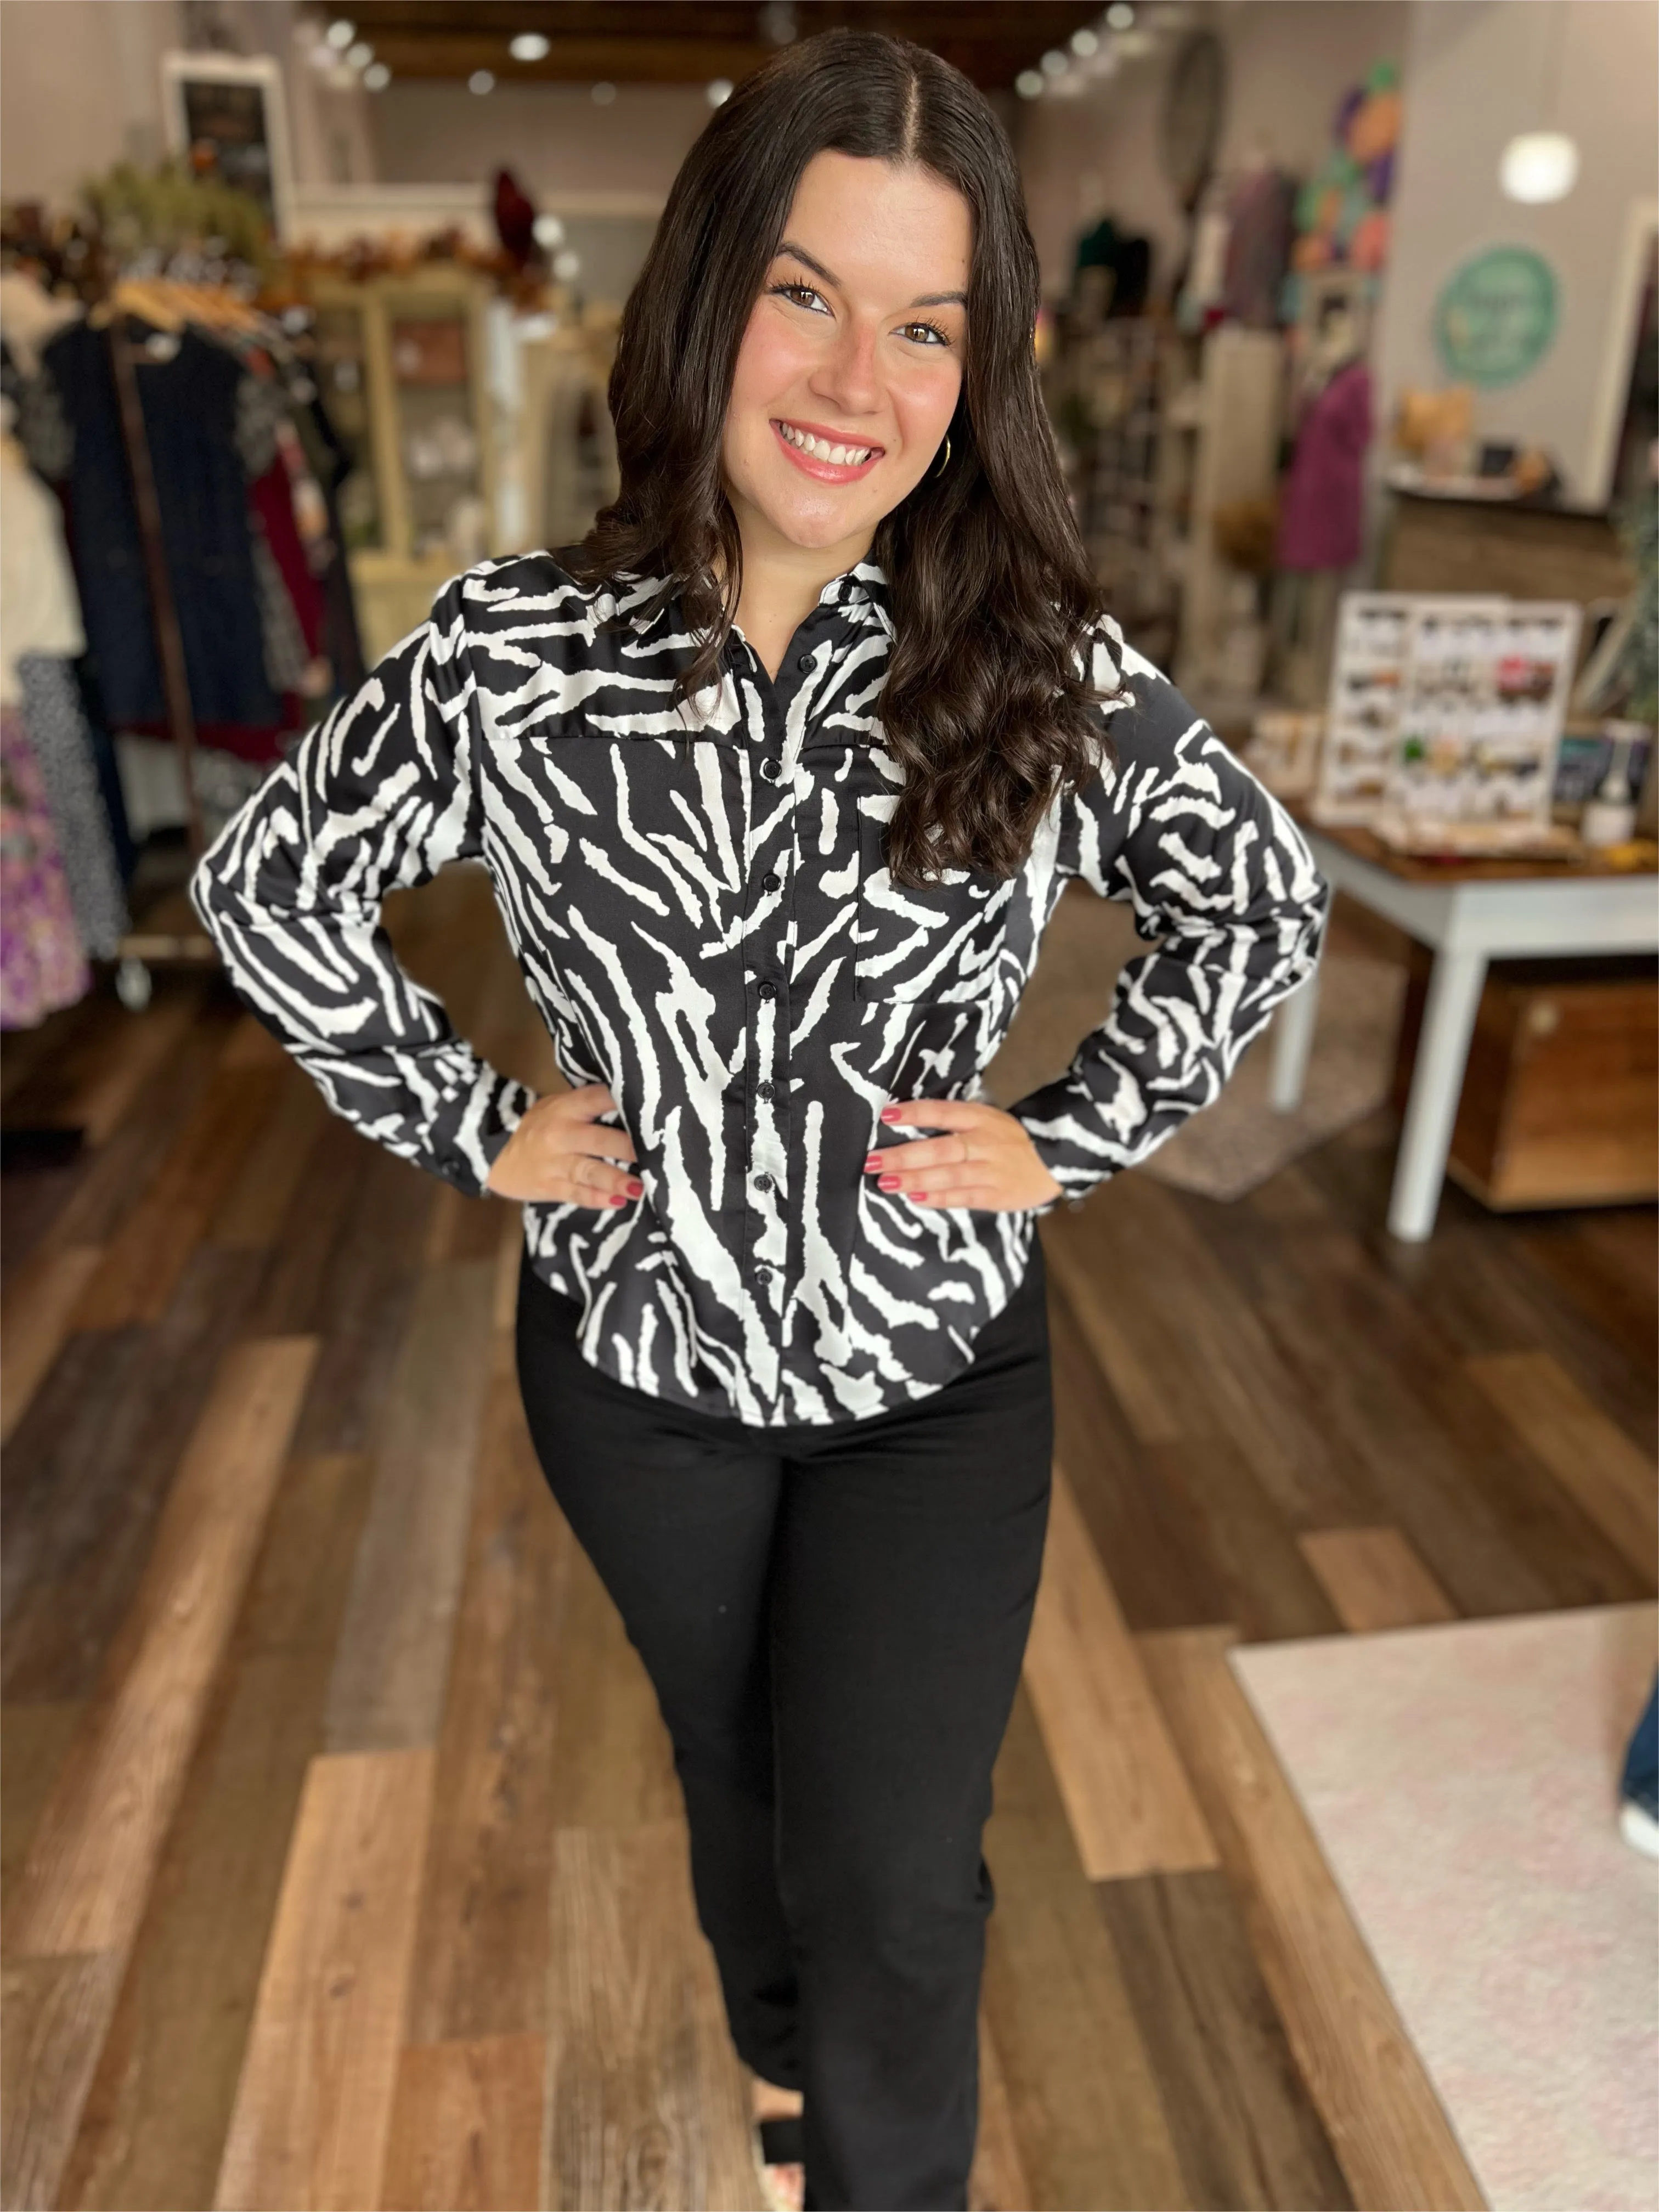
x,y
707,926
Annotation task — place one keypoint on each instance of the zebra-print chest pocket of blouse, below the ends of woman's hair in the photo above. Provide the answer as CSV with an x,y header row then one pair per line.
x,y
935,943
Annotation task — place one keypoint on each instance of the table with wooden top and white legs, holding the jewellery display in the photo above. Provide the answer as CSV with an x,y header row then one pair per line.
x,y
1468,912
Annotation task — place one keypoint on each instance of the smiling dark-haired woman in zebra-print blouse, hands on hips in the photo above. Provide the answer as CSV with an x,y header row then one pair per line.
x,y
780,780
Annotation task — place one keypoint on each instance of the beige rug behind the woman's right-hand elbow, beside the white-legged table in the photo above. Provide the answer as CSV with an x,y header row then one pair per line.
x,y
1240,1142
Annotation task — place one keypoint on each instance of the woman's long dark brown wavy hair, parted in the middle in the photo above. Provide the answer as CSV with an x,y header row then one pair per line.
x,y
988,700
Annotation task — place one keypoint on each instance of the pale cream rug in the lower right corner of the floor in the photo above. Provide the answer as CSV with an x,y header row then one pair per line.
x,y
1463,1786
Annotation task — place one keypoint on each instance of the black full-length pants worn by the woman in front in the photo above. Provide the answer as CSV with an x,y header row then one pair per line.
x,y
833,1620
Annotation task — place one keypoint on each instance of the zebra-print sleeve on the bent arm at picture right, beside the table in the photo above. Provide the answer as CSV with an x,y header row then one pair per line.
x,y
1224,888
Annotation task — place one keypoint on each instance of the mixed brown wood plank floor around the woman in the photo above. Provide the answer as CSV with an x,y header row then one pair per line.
x,y
344,1859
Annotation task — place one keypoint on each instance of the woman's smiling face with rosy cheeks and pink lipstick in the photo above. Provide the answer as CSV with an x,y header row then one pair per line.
x,y
853,359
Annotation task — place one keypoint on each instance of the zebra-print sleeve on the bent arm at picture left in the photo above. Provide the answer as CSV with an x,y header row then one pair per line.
x,y
377,797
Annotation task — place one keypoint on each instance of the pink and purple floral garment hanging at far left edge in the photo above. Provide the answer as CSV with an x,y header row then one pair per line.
x,y
41,954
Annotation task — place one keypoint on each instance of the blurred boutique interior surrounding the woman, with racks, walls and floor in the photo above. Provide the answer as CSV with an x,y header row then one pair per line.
x,y
344,1848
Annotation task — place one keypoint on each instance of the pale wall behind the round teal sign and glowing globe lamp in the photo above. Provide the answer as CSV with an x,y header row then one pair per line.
x,y
1474,79
